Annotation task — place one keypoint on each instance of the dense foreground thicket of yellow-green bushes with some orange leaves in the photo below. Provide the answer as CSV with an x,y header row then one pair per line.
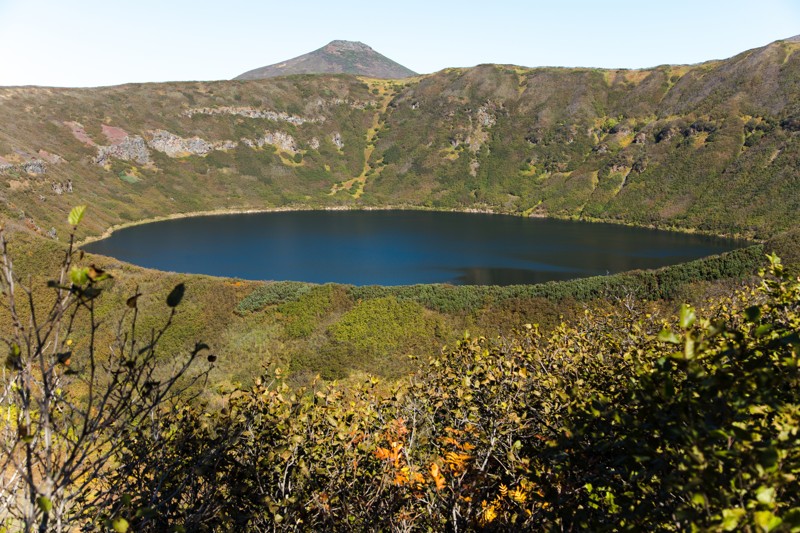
x,y
620,421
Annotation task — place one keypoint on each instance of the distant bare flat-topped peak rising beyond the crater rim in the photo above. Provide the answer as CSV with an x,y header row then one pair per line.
x,y
336,57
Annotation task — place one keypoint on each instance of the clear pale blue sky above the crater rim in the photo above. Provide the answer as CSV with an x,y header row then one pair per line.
x,y
90,42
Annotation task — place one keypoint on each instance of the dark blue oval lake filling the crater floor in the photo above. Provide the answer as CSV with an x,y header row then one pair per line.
x,y
400,247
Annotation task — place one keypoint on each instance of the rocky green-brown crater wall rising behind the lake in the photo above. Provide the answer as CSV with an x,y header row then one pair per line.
x,y
712,147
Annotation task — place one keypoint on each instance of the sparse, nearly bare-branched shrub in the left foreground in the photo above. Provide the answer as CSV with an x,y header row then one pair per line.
x,y
74,407
